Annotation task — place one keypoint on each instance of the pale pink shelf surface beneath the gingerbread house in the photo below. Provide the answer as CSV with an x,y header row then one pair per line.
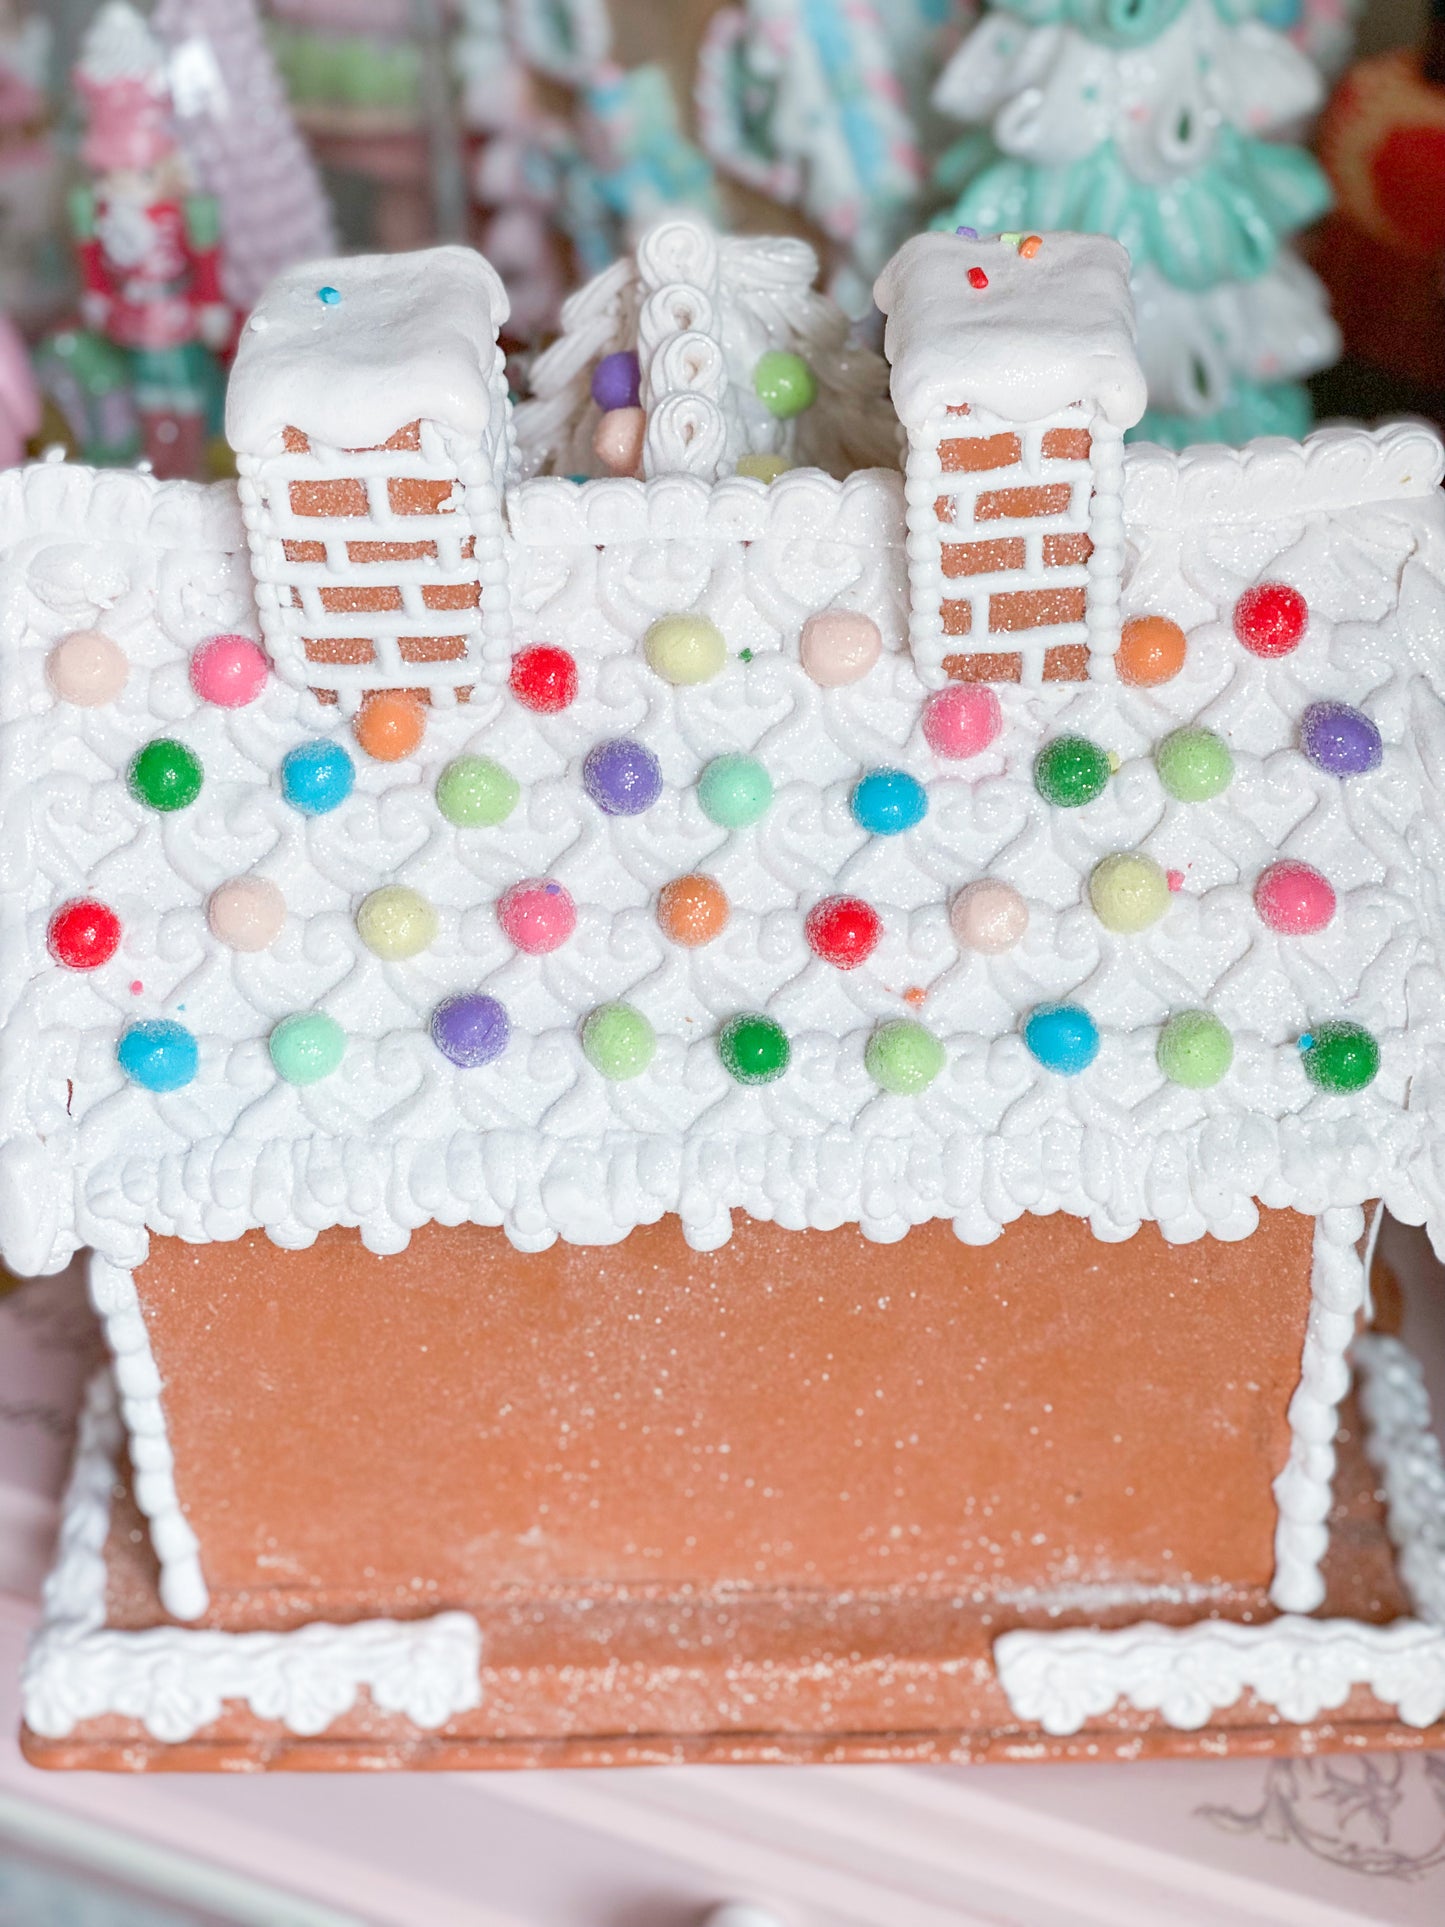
x,y
1332,1843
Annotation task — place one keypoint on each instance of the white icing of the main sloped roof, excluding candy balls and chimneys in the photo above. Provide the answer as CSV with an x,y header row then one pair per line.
x,y
540,1142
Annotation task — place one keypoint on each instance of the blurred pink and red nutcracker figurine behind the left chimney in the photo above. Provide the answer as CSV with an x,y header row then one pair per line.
x,y
149,255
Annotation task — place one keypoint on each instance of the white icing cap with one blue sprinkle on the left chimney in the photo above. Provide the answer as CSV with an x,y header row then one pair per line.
x,y
330,367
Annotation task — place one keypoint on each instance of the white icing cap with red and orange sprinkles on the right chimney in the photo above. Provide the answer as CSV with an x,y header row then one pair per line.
x,y
1049,329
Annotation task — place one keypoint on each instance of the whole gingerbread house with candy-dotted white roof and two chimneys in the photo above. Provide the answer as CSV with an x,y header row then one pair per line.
x,y
706,1122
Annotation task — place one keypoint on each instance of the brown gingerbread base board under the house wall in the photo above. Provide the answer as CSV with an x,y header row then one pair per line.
x,y
654,1681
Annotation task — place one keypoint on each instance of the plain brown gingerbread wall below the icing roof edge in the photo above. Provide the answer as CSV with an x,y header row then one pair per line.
x,y
460,1423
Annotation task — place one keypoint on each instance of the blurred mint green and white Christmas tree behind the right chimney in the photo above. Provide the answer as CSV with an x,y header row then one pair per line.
x,y
1147,120
